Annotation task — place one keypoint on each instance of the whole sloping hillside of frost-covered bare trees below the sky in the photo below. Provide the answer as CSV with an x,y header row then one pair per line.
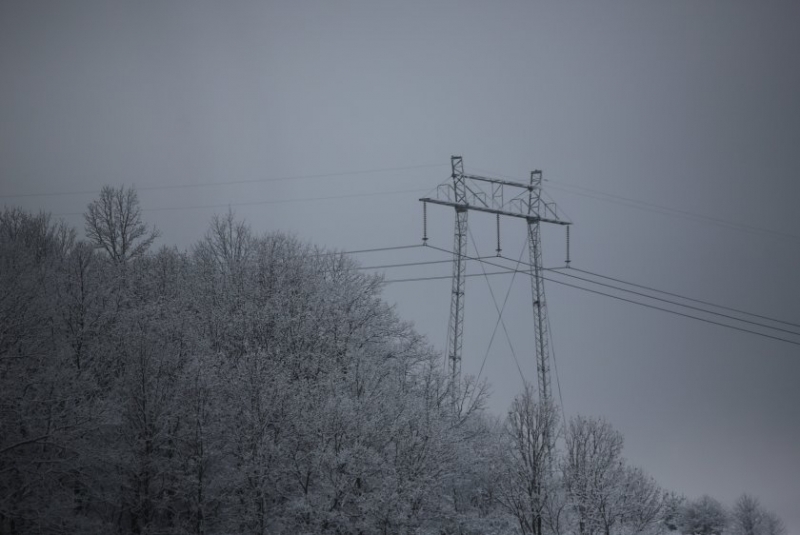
x,y
256,384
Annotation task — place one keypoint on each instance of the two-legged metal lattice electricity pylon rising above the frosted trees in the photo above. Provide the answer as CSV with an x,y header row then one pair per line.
x,y
469,192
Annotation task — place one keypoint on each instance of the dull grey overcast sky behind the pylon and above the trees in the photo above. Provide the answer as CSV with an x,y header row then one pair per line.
x,y
689,106
